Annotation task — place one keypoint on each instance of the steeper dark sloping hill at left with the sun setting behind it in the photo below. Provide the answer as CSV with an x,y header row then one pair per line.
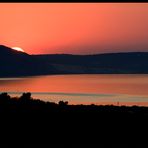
x,y
16,63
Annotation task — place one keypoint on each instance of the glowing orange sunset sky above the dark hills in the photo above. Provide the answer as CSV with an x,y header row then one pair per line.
x,y
78,28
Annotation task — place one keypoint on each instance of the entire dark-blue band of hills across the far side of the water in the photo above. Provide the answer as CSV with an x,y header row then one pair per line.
x,y
15,63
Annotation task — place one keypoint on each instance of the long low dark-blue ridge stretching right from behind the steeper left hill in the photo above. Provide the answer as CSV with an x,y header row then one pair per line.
x,y
109,63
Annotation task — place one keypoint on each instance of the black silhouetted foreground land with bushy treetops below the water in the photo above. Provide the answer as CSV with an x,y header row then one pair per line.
x,y
27,120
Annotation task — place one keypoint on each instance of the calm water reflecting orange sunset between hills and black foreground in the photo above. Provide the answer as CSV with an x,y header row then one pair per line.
x,y
82,89
